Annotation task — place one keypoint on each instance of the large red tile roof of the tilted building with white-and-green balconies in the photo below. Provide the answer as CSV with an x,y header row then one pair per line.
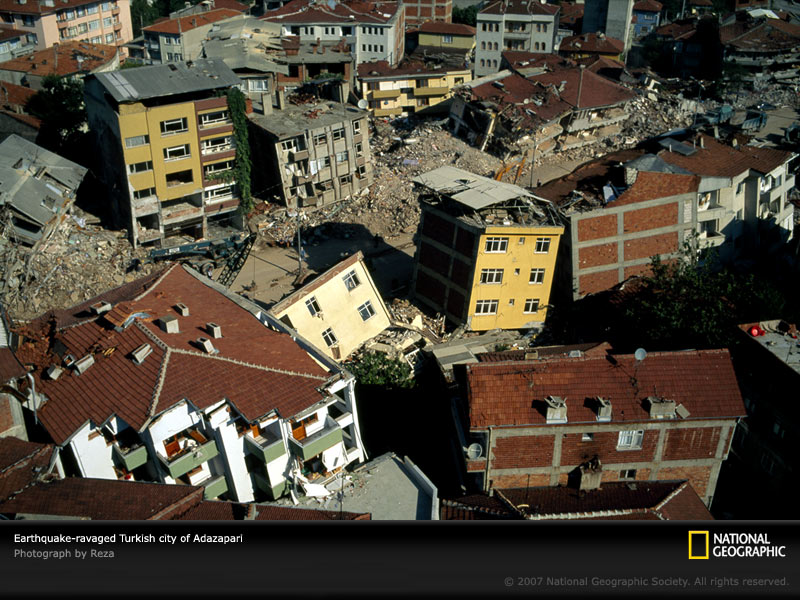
x,y
251,358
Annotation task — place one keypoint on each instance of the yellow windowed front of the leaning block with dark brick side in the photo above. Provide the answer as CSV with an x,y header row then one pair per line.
x,y
513,277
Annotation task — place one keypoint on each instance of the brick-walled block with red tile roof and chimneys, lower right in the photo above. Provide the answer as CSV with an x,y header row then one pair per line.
x,y
586,420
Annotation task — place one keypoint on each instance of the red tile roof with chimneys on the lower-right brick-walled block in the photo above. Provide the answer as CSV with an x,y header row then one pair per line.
x,y
509,394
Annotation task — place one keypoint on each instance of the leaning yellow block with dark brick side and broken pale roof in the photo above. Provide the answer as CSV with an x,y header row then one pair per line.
x,y
486,251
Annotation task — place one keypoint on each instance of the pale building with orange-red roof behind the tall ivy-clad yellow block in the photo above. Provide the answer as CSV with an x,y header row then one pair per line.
x,y
179,39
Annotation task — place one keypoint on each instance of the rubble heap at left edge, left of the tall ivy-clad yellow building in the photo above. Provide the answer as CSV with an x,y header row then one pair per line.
x,y
78,262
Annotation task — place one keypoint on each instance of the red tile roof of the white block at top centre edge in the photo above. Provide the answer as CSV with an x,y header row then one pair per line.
x,y
303,11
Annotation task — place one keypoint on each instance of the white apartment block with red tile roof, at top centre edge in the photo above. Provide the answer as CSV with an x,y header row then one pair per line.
x,y
373,30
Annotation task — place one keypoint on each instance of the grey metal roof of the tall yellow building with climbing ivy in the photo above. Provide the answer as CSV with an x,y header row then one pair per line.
x,y
155,81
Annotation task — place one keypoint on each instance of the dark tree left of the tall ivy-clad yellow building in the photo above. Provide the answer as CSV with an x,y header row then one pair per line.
x,y
59,104
